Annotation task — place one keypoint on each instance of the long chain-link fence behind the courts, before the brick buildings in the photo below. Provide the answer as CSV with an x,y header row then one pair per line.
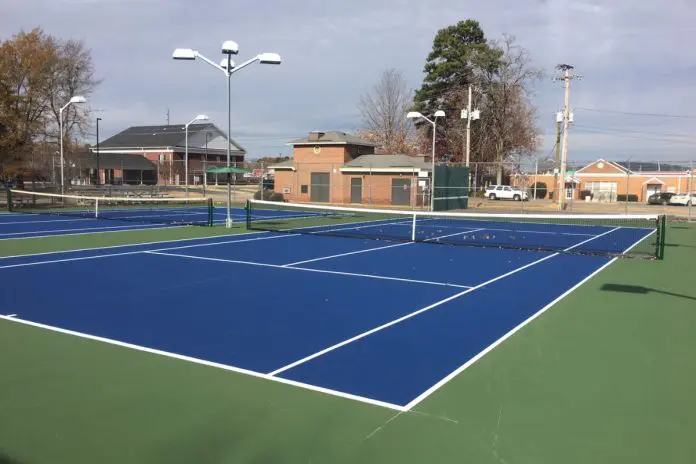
x,y
611,187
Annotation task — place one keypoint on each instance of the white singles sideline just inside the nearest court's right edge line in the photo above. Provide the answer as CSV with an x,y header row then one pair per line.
x,y
427,308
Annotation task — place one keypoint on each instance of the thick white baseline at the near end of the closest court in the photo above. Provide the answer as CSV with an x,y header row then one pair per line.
x,y
191,359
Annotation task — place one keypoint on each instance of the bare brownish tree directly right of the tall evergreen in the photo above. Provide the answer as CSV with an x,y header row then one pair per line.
x,y
508,123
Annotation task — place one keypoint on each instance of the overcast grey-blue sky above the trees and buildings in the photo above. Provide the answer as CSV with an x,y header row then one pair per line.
x,y
634,57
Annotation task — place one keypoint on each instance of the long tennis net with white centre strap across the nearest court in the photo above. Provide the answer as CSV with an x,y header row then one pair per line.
x,y
637,236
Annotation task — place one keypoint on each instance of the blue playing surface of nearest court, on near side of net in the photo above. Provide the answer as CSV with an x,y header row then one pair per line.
x,y
382,322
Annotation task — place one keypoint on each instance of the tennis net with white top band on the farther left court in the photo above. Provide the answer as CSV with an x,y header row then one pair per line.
x,y
182,211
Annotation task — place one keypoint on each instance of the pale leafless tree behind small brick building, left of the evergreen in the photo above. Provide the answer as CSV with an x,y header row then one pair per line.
x,y
383,113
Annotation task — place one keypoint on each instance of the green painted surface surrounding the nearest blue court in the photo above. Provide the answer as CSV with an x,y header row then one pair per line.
x,y
605,376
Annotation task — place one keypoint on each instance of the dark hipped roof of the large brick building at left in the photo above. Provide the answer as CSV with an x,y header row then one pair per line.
x,y
174,136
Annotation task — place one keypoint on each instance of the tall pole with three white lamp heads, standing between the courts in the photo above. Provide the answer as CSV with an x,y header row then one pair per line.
x,y
228,67
